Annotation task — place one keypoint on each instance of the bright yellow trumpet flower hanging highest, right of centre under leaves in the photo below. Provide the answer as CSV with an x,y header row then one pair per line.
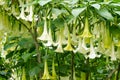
x,y
86,33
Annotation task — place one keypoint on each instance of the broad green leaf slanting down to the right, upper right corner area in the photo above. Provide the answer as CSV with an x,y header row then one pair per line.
x,y
105,13
